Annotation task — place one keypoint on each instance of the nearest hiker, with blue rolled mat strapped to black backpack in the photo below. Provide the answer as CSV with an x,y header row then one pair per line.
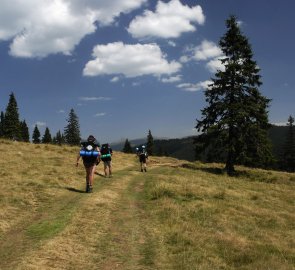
x,y
90,154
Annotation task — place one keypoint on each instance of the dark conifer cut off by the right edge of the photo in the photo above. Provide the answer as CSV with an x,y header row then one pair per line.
x,y
288,162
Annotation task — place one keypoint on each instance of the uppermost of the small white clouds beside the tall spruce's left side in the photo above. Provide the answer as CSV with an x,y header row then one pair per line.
x,y
207,50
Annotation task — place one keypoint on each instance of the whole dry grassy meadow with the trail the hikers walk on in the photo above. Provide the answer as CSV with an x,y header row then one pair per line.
x,y
178,215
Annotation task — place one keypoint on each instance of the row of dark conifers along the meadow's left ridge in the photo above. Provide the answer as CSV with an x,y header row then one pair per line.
x,y
14,129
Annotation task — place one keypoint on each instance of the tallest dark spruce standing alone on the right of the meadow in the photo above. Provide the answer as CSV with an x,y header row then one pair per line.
x,y
235,122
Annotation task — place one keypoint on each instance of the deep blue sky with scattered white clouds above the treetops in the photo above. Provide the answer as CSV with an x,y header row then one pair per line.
x,y
129,66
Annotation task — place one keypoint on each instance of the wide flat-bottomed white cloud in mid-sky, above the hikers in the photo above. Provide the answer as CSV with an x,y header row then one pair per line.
x,y
129,60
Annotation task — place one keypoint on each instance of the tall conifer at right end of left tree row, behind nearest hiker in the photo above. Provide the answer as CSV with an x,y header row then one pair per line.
x,y
72,130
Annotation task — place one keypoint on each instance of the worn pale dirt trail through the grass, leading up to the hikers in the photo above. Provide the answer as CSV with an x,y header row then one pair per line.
x,y
106,229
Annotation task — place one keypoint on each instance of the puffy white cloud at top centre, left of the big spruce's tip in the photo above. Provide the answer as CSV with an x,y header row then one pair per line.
x,y
169,20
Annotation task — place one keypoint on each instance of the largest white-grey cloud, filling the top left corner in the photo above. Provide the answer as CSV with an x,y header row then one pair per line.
x,y
39,28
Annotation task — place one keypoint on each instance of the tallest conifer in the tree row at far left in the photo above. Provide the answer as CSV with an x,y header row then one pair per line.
x,y
12,129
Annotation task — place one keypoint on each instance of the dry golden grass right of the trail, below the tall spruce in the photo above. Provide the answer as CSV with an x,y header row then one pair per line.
x,y
207,220
